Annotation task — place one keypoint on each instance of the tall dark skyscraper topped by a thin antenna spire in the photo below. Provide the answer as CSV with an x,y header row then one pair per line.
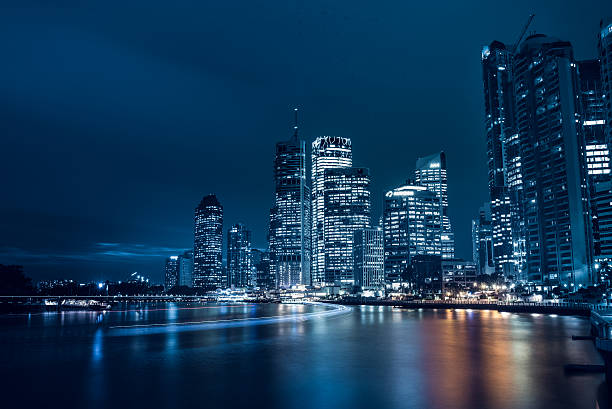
x,y
289,235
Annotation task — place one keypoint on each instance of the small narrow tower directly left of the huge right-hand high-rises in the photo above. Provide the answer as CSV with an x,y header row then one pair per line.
x,y
482,241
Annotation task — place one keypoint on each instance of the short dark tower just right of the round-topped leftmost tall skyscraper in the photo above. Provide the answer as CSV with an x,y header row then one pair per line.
x,y
239,263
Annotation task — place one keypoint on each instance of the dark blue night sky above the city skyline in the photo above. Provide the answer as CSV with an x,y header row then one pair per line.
x,y
118,116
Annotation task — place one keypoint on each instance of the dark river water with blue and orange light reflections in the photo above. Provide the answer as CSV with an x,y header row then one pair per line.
x,y
294,356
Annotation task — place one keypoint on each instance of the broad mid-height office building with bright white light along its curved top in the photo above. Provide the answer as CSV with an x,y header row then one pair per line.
x,y
412,225
